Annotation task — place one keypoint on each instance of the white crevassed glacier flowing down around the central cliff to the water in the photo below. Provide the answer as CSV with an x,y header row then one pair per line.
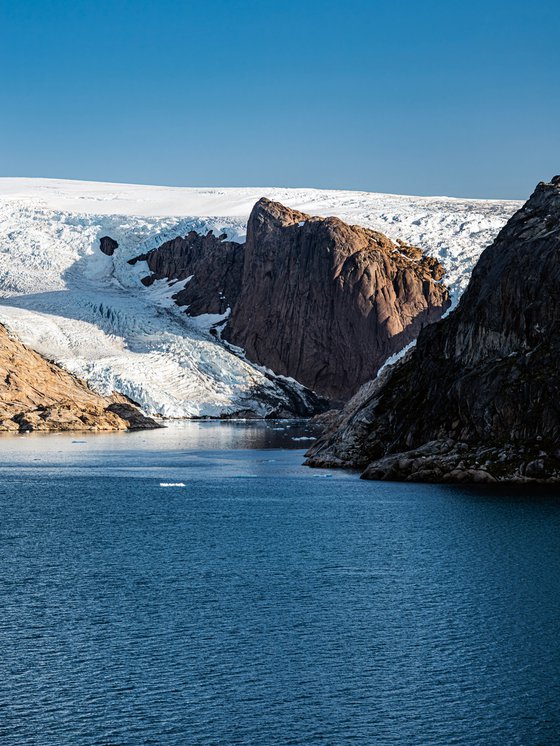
x,y
90,313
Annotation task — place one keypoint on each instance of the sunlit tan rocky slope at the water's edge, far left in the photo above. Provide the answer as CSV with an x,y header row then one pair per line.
x,y
36,394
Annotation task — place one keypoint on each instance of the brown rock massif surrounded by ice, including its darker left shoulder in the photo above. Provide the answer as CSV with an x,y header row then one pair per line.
x,y
311,298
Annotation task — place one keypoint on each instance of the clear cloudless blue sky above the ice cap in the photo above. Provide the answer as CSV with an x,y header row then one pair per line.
x,y
417,97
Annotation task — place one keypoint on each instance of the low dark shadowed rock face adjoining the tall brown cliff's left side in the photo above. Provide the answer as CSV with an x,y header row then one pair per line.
x,y
215,265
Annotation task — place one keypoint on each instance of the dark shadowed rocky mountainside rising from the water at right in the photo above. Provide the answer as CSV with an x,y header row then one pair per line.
x,y
478,399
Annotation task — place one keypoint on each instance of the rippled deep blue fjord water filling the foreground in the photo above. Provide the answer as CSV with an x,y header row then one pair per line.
x,y
264,602
